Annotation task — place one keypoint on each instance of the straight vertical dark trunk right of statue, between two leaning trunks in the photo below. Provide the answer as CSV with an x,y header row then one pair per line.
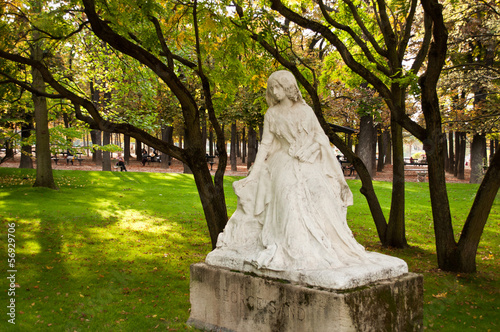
x,y
396,233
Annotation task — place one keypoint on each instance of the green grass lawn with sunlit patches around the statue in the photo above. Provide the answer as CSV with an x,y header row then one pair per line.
x,y
111,251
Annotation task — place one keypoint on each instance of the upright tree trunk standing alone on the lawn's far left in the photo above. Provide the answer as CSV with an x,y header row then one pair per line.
x,y
44,176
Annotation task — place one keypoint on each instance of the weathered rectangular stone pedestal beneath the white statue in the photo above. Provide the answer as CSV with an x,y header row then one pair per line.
x,y
223,300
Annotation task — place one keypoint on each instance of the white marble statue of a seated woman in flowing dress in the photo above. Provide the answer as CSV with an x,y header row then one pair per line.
x,y
290,221
